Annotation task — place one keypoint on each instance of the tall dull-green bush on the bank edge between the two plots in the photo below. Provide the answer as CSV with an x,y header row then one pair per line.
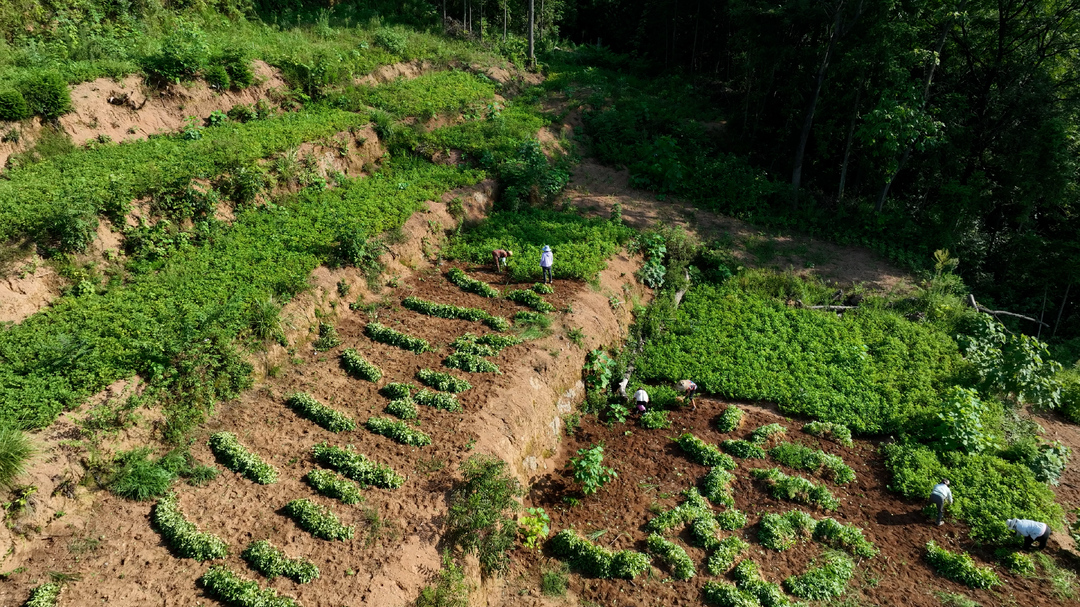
x,y
481,507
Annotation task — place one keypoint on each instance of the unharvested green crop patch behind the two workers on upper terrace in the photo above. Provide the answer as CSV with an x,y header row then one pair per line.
x,y
583,245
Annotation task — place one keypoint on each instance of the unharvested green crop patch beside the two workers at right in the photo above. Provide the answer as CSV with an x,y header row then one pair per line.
x,y
988,490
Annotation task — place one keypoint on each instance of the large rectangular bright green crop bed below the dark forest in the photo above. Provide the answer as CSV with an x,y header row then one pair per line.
x,y
872,371
